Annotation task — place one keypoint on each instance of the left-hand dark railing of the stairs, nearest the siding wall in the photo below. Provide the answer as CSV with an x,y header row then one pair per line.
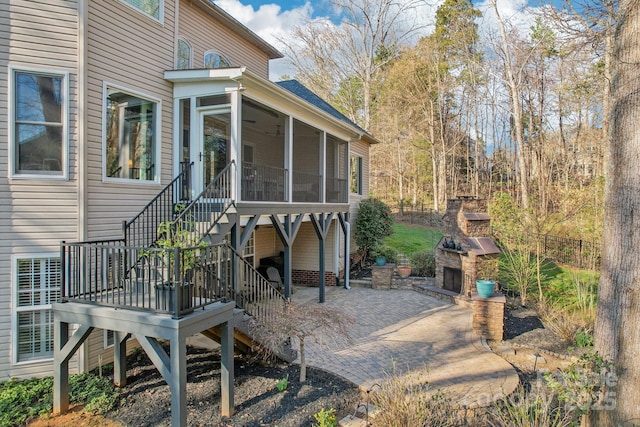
x,y
142,230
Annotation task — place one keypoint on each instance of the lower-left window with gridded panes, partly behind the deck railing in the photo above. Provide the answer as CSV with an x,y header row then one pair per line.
x,y
36,285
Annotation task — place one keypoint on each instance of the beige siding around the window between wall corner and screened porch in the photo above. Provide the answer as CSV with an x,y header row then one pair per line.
x,y
130,51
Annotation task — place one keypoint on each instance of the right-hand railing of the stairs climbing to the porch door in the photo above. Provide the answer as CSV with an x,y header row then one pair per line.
x,y
206,210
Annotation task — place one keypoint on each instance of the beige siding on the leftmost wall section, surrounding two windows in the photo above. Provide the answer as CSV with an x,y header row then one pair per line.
x,y
35,214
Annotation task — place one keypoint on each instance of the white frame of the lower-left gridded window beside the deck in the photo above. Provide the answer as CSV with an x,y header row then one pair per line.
x,y
15,309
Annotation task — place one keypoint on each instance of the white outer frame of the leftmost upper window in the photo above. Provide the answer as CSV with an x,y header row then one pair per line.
x,y
13,174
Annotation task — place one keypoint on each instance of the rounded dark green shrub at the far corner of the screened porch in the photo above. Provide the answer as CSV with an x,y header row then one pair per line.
x,y
373,224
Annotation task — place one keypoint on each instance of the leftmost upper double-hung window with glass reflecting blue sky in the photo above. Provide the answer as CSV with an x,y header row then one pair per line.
x,y
38,123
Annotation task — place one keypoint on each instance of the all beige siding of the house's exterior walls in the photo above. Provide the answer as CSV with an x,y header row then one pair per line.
x,y
125,49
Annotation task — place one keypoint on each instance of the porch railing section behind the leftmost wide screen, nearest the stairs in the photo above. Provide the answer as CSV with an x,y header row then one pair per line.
x,y
262,183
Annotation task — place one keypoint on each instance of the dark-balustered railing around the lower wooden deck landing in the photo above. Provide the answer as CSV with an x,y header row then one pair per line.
x,y
173,281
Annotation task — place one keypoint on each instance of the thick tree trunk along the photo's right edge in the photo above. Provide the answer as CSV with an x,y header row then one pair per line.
x,y
617,330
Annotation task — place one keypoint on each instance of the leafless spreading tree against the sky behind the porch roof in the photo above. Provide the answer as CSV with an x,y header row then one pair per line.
x,y
342,63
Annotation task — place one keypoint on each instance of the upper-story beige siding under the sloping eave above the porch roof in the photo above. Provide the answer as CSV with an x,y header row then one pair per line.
x,y
204,34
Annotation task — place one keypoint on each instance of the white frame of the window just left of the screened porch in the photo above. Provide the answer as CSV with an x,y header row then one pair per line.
x,y
157,130
